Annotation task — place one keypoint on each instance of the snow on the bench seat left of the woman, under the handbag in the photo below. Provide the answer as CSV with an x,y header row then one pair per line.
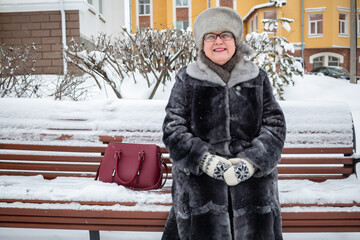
x,y
77,189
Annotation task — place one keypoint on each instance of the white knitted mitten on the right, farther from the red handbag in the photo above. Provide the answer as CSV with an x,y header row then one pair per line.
x,y
240,171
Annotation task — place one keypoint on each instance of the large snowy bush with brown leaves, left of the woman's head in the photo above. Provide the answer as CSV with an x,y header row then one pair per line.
x,y
154,54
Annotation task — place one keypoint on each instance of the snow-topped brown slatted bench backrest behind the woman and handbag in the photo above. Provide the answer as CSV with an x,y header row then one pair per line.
x,y
66,138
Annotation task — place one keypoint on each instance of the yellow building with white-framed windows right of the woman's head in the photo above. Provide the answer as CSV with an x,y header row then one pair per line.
x,y
325,33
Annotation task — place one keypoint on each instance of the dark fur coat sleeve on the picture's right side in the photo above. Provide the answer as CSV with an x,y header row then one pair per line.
x,y
265,150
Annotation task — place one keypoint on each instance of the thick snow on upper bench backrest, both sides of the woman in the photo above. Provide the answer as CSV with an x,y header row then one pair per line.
x,y
310,124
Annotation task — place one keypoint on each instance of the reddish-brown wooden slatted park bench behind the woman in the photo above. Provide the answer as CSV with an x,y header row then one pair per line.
x,y
51,157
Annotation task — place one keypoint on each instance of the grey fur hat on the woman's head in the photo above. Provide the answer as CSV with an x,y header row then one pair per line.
x,y
218,19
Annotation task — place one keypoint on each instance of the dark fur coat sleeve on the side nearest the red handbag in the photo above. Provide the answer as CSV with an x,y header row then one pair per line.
x,y
185,149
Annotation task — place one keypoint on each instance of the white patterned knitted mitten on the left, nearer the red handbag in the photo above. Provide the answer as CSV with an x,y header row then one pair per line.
x,y
214,166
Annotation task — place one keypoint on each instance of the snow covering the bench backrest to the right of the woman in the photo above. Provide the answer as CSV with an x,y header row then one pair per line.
x,y
317,123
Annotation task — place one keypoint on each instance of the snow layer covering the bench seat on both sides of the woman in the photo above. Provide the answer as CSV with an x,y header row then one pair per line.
x,y
86,189
